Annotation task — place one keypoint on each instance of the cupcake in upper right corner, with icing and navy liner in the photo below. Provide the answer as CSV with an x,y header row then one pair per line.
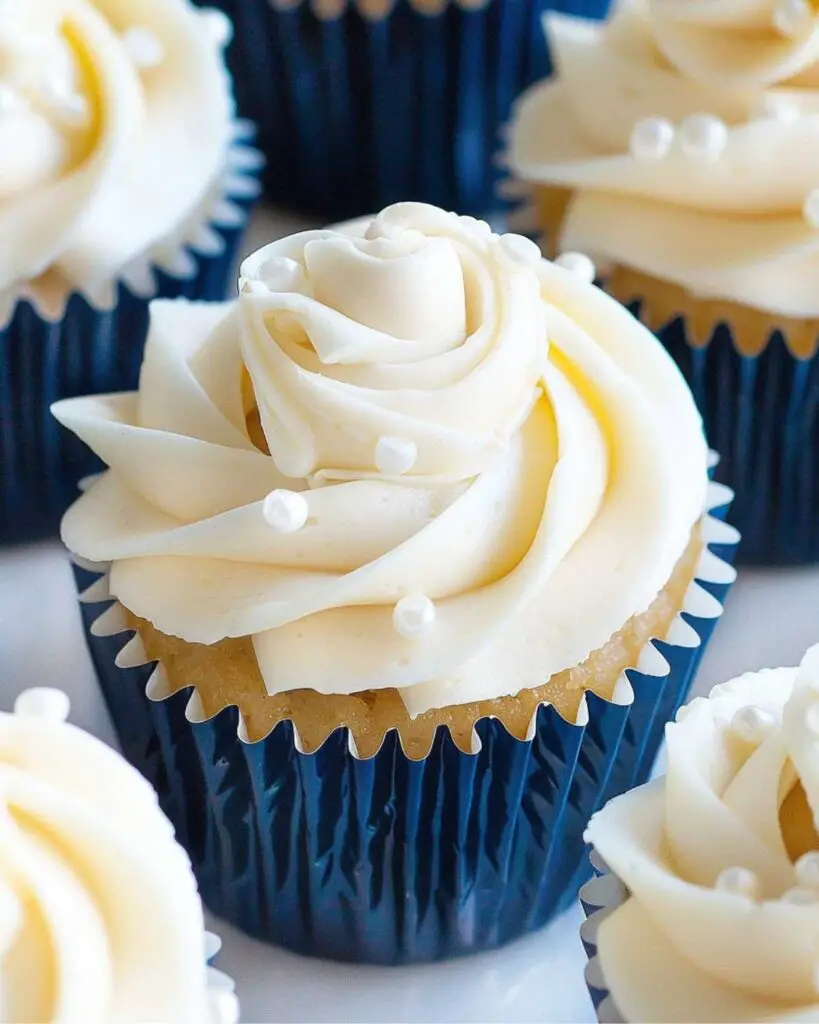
x,y
677,146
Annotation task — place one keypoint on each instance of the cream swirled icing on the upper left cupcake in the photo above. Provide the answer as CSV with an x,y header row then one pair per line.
x,y
115,125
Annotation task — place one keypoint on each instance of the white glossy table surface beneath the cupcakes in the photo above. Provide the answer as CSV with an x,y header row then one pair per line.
x,y
771,618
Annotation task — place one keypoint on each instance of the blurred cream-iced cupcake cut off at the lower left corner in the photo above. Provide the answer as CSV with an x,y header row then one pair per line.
x,y
100,916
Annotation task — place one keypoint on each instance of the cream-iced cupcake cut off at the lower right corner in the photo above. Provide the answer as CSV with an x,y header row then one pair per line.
x,y
712,905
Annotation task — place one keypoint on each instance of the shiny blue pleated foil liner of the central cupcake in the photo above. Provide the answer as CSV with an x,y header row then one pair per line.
x,y
390,861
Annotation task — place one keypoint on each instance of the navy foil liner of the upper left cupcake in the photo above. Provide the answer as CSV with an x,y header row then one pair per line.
x,y
93,351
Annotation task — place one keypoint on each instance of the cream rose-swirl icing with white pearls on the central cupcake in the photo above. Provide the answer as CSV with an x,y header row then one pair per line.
x,y
413,455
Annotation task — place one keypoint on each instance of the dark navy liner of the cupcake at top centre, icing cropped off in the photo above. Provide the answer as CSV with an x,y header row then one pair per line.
x,y
360,111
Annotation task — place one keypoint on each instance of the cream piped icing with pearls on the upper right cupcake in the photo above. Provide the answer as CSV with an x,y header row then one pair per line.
x,y
688,134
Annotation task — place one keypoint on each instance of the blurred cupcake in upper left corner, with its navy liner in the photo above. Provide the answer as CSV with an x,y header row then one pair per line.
x,y
108,199
